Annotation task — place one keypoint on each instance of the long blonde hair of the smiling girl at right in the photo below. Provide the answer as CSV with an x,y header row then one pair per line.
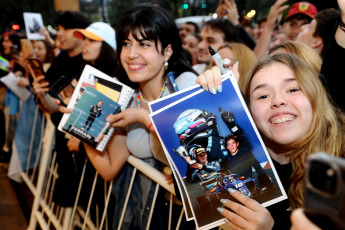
x,y
328,126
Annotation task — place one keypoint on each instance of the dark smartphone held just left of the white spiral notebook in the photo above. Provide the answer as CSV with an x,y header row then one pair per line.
x,y
62,89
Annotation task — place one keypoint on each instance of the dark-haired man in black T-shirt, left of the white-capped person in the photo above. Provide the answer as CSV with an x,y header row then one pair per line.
x,y
68,63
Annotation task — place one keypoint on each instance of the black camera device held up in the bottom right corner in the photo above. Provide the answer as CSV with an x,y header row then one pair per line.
x,y
324,191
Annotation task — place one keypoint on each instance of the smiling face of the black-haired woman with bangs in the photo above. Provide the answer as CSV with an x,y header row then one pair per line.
x,y
141,59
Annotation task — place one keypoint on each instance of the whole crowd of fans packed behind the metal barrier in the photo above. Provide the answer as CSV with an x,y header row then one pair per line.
x,y
287,69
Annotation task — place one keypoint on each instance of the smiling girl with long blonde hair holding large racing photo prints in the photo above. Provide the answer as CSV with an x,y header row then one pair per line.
x,y
295,117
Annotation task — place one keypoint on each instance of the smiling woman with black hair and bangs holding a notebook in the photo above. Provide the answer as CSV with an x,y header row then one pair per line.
x,y
148,48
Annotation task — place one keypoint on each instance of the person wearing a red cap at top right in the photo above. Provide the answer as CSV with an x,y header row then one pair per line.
x,y
300,13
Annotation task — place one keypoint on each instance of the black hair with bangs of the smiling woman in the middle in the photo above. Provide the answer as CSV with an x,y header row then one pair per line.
x,y
153,23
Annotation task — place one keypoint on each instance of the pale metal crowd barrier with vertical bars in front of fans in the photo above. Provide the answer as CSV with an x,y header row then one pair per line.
x,y
48,215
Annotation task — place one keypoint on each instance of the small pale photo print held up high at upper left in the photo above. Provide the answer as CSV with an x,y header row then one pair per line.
x,y
33,23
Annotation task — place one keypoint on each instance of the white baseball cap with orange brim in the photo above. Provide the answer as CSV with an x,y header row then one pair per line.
x,y
98,31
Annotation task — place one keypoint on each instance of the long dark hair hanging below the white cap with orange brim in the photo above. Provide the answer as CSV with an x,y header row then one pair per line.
x,y
106,60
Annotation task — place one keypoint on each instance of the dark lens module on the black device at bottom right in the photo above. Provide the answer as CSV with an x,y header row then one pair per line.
x,y
323,177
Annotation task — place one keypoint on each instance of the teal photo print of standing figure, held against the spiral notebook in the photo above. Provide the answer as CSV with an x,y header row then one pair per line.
x,y
88,118
